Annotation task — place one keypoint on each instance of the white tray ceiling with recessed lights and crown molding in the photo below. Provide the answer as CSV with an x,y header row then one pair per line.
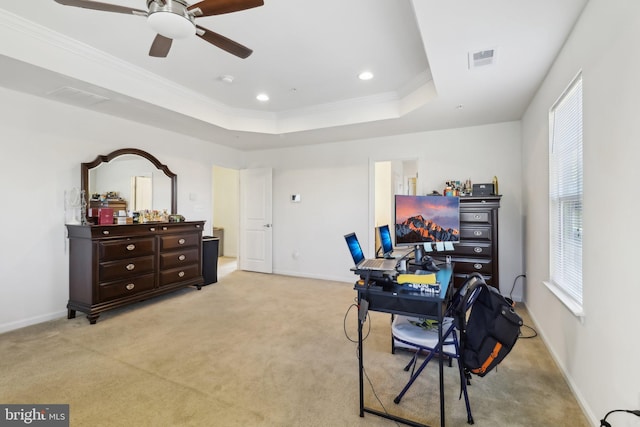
x,y
307,56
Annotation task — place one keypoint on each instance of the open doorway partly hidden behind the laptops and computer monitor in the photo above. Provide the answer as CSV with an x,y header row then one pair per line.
x,y
391,177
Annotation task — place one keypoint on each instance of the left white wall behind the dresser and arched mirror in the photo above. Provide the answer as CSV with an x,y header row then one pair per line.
x,y
43,144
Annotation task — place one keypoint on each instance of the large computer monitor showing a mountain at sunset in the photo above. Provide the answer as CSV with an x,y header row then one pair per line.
x,y
426,219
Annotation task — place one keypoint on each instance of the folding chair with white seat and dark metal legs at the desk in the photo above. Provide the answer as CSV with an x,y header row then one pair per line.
x,y
422,336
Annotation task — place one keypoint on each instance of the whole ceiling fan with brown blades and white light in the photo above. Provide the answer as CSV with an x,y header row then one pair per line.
x,y
173,19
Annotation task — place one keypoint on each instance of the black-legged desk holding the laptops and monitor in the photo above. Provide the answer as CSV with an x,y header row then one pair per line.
x,y
406,302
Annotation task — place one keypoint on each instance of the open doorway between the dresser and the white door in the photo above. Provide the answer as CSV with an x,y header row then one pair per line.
x,y
226,216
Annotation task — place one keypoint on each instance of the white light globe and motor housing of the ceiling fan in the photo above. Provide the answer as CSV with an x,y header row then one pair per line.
x,y
170,18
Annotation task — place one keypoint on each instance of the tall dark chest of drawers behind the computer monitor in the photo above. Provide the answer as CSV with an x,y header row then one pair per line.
x,y
477,250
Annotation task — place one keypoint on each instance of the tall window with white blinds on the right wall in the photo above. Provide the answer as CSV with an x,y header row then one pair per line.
x,y
565,196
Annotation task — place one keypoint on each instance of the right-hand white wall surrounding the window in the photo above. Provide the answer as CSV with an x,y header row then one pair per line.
x,y
595,352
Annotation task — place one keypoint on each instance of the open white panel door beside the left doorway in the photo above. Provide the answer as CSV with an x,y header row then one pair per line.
x,y
256,232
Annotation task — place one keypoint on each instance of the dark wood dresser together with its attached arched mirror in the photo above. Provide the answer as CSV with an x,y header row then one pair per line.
x,y
113,265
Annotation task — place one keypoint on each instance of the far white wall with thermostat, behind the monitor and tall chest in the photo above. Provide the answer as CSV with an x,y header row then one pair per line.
x,y
337,186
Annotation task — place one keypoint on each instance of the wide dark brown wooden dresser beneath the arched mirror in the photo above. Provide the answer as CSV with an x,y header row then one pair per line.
x,y
111,266
